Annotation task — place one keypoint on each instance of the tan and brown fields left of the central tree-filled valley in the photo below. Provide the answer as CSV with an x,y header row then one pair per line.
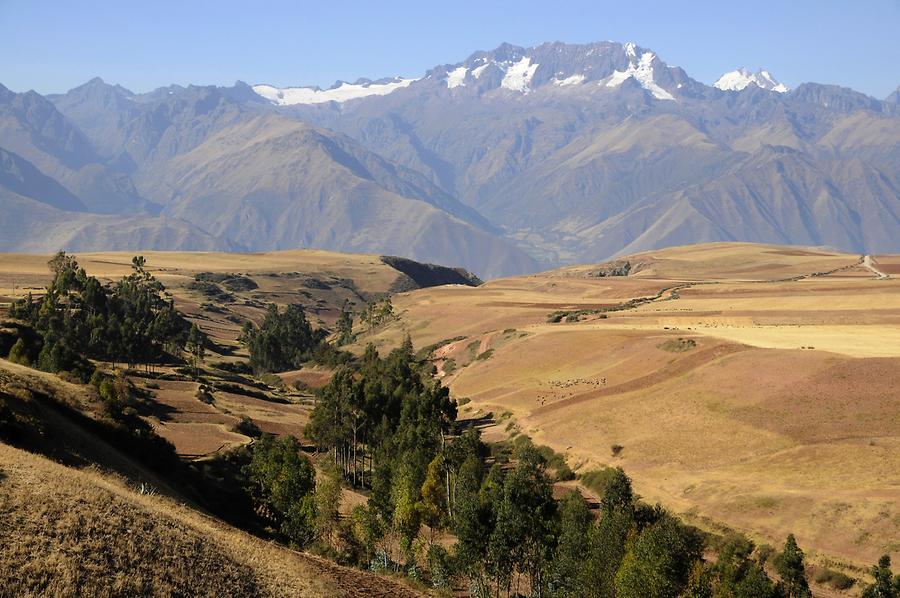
x,y
219,292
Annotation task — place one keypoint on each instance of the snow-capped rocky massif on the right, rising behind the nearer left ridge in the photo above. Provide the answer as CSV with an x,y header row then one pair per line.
x,y
581,152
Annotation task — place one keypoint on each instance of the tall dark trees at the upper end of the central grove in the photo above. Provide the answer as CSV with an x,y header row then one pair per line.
x,y
386,423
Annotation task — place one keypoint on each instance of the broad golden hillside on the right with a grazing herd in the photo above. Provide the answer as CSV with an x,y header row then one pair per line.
x,y
750,387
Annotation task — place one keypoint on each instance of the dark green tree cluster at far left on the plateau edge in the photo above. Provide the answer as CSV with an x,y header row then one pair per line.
x,y
130,321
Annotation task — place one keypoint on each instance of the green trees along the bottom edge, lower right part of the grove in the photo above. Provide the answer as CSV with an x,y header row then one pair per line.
x,y
515,539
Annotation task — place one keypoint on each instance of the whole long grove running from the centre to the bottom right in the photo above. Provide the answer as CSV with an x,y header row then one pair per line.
x,y
391,428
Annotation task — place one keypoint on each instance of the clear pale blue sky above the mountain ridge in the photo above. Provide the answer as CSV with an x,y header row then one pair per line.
x,y
54,46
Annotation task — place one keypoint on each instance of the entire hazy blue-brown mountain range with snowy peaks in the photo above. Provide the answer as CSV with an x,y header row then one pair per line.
x,y
507,162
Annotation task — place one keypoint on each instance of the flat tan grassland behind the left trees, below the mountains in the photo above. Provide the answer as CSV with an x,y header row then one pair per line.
x,y
219,291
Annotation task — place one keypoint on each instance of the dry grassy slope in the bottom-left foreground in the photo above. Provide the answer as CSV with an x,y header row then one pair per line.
x,y
91,521
